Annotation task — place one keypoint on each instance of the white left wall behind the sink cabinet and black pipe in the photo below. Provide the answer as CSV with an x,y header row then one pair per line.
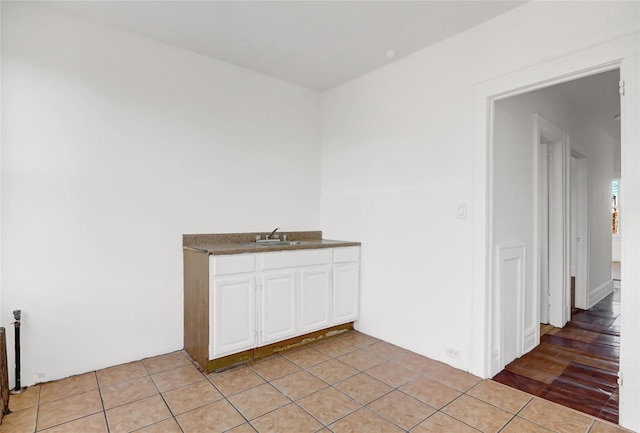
x,y
113,146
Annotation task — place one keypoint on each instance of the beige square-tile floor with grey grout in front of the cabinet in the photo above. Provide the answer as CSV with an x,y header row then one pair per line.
x,y
351,383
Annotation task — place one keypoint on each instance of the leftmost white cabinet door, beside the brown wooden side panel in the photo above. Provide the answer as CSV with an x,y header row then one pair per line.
x,y
232,315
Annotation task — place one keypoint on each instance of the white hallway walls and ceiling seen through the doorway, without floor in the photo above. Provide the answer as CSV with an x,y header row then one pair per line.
x,y
542,140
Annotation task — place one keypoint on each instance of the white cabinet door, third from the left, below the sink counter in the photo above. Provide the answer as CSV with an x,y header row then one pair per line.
x,y
315,300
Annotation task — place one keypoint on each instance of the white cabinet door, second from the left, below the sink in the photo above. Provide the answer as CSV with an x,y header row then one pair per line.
x,y
278,307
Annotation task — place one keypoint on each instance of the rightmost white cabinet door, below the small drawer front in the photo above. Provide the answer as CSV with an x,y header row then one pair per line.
x,y
346,283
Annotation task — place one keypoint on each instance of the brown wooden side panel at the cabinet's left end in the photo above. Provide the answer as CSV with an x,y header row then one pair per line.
x,y
196,306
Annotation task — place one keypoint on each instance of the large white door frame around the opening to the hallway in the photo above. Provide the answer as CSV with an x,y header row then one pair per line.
x,y
486,334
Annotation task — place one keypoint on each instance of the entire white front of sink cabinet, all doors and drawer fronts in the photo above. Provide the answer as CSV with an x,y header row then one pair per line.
x,y
260,299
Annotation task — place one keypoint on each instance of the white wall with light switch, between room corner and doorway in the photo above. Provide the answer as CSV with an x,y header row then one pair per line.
x,y
398,158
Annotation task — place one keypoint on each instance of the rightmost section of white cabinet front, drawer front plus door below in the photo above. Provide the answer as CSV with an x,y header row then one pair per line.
x,y
346,284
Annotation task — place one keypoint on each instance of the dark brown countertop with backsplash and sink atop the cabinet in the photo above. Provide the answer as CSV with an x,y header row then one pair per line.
x,y
240,243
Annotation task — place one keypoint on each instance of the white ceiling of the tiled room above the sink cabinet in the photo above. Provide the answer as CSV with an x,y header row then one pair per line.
x,y
316,44
